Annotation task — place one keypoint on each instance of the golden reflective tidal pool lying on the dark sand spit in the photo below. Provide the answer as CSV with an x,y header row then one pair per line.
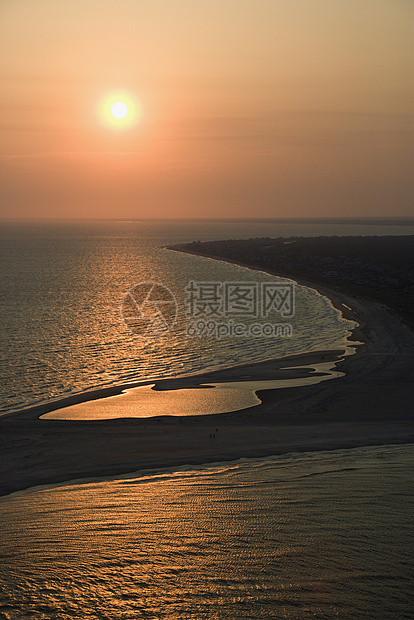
x,y
223,391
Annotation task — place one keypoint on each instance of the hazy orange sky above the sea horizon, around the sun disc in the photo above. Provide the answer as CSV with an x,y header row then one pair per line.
x,y
243,108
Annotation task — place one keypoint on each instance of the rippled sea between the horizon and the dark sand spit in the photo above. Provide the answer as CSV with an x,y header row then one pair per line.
x,y
62,287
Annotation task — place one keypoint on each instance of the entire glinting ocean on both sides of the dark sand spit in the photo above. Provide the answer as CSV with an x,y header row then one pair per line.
x,y
320,535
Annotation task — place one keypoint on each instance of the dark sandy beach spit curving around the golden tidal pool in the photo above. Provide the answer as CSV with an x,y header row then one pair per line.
x,y
372,404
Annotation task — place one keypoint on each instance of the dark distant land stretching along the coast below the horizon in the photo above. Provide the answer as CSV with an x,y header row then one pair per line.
x,y
357,266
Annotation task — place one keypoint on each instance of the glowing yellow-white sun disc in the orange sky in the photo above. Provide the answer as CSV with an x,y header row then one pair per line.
x,y
119,110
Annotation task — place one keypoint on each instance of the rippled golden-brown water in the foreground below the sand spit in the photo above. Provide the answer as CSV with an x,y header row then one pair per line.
x,y
321,535
